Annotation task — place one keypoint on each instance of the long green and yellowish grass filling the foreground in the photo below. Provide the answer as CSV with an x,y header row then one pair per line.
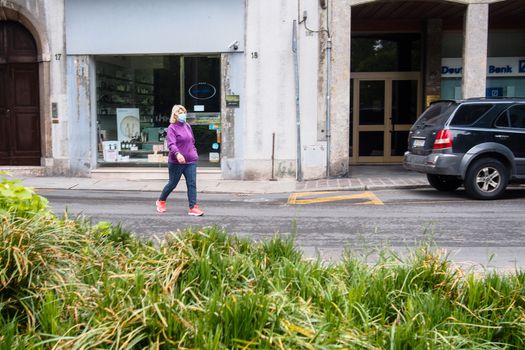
x,y
67,284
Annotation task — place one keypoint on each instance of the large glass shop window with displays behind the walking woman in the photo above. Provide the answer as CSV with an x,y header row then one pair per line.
x,y
135,95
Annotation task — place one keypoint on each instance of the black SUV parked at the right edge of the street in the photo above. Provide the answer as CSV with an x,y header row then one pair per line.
x,y
478,143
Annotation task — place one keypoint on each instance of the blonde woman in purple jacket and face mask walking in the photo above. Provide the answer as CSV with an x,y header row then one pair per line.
x,y
182,159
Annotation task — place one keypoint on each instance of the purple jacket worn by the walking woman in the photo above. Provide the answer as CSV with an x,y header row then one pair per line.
x,y
180,140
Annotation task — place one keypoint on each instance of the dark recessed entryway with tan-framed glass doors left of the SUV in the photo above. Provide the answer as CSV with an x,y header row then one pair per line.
x,y
396,51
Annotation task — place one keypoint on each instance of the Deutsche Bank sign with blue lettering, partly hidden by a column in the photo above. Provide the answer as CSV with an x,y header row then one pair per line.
x,y
496,67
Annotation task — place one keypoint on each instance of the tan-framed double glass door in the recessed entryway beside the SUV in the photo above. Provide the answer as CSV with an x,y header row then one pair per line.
x,y
384,107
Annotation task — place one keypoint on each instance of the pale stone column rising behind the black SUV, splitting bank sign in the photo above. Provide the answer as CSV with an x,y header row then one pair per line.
x,y
475,50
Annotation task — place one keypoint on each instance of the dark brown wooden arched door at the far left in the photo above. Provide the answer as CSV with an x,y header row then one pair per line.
x,y
20,135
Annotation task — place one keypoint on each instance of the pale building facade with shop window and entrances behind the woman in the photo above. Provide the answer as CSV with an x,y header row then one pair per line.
x,y
300,89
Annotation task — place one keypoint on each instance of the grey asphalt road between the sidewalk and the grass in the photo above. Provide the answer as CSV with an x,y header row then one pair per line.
x,y
489,234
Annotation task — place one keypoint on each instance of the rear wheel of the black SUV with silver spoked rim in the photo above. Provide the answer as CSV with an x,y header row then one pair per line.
x,y
486,178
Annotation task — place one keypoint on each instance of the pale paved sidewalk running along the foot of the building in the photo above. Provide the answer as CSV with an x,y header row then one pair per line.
x,y
361,178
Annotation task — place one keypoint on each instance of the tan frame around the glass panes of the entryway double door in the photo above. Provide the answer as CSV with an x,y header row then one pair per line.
x,y
386,128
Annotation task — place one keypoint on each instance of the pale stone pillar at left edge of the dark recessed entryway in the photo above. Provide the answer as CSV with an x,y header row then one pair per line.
x,y
339,88
